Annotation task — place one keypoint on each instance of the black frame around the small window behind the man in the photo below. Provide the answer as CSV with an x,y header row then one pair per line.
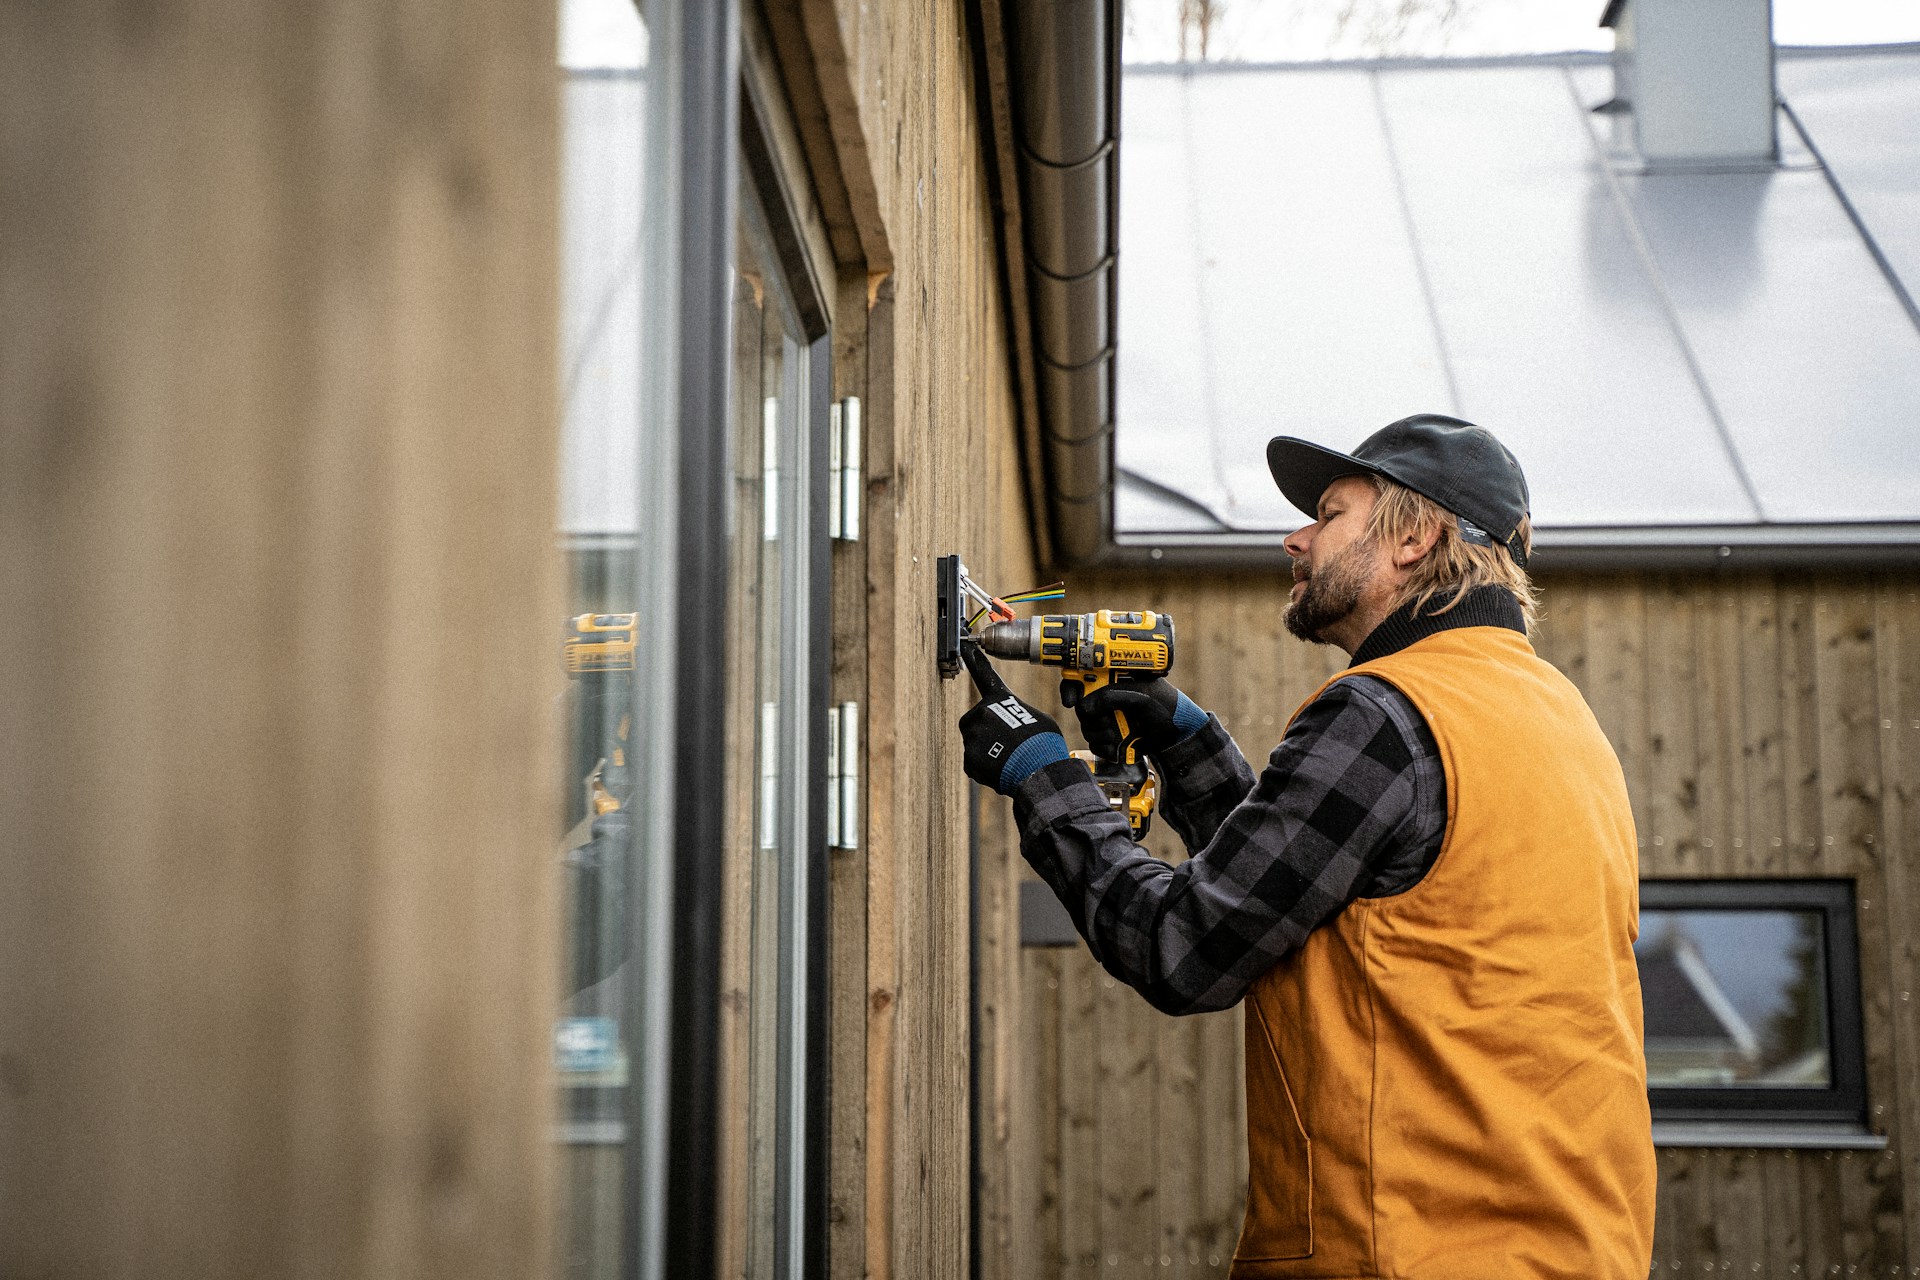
x,y
1846,1101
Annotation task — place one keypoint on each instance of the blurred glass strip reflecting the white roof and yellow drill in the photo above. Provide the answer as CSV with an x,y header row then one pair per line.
x,y
604,55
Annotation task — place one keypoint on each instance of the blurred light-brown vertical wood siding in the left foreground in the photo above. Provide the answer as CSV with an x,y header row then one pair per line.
x,y
277,596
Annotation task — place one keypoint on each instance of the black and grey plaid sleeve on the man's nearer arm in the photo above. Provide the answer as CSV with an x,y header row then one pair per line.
x,y
1353,786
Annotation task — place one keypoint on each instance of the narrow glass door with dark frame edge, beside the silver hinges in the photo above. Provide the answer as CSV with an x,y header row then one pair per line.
x,y
777,872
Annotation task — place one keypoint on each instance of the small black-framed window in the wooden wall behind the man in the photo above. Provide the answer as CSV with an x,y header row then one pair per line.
x,y
1752,995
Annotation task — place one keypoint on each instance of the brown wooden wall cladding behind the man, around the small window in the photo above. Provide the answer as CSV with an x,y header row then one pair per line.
x,y
1769,728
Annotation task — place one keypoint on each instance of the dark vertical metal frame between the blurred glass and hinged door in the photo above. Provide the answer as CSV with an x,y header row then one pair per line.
x,y
671,1193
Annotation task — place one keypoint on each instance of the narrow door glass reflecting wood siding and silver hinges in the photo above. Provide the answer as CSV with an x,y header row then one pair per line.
x,y
769,646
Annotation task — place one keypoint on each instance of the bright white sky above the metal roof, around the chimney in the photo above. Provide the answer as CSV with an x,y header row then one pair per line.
x,y
1333,30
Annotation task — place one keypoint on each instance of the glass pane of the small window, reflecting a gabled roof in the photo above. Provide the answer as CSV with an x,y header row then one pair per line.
x,y
1735,999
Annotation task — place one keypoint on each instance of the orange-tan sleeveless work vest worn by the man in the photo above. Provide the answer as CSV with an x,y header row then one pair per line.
x,y
1451,1083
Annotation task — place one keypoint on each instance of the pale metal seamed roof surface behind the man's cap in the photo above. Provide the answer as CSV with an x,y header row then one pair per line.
x,y
1322,250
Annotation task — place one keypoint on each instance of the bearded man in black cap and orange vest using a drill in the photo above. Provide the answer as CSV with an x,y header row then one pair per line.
x,y
1428,901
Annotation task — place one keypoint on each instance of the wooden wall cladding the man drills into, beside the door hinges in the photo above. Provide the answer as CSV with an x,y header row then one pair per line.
x,y
890,130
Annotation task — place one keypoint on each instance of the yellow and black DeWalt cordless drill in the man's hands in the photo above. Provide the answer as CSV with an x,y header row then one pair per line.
x,y
1093,652
